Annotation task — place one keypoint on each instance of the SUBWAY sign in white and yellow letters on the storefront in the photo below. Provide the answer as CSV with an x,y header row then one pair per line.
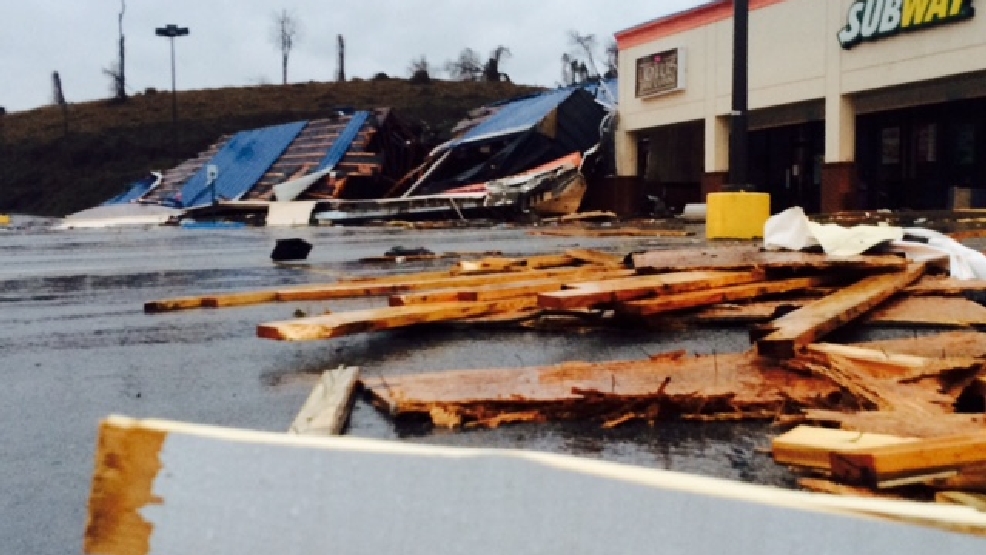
x,y
871,20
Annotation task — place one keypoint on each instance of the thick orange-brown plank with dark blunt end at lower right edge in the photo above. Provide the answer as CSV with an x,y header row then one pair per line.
x,y
892,462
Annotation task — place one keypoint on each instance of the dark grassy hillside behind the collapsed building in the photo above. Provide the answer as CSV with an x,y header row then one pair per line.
x,y
46,171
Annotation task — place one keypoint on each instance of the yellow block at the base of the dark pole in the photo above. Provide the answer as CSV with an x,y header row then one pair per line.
x,y
736,215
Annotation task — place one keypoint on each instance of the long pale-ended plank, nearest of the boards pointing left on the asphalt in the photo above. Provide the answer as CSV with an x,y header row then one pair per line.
x,y
377,319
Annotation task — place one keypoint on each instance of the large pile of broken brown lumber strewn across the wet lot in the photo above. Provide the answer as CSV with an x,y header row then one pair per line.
x,y
788,376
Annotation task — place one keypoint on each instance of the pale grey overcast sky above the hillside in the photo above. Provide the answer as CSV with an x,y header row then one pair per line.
x,y
229,42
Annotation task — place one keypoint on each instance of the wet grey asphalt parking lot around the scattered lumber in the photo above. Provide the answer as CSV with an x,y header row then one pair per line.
x,y
75,346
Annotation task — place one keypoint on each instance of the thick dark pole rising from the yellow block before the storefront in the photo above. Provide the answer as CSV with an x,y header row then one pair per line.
x,y
738,123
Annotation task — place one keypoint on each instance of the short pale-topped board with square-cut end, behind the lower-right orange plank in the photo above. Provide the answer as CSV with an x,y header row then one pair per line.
x,y
810,447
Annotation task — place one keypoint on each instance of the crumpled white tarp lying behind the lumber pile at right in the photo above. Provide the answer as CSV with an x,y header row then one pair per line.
x,y
792,230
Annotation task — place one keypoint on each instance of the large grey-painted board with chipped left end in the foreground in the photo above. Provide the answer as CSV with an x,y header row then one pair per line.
x,y
165,488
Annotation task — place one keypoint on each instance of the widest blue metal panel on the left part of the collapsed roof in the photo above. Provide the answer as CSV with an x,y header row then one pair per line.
x,y
242,162
